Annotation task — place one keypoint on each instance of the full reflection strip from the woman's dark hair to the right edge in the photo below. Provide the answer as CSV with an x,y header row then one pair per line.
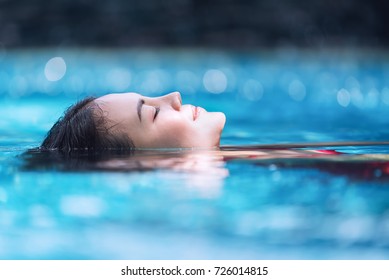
x,y
207,170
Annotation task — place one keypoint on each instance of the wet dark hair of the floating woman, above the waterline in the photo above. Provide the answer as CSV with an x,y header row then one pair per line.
x,y
83,127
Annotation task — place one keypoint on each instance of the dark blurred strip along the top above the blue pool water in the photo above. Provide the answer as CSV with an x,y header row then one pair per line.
x,y
223,24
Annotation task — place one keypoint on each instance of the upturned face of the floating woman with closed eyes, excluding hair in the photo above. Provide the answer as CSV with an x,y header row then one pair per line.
x,y
161,122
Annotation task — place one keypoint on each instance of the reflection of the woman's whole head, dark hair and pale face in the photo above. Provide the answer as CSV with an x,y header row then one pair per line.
x,y
203,171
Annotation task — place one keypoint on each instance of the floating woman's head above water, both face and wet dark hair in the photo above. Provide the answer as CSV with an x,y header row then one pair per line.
x,y
130,120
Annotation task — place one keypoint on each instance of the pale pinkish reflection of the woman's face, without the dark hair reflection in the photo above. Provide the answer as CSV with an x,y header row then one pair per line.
x,y
202,171
